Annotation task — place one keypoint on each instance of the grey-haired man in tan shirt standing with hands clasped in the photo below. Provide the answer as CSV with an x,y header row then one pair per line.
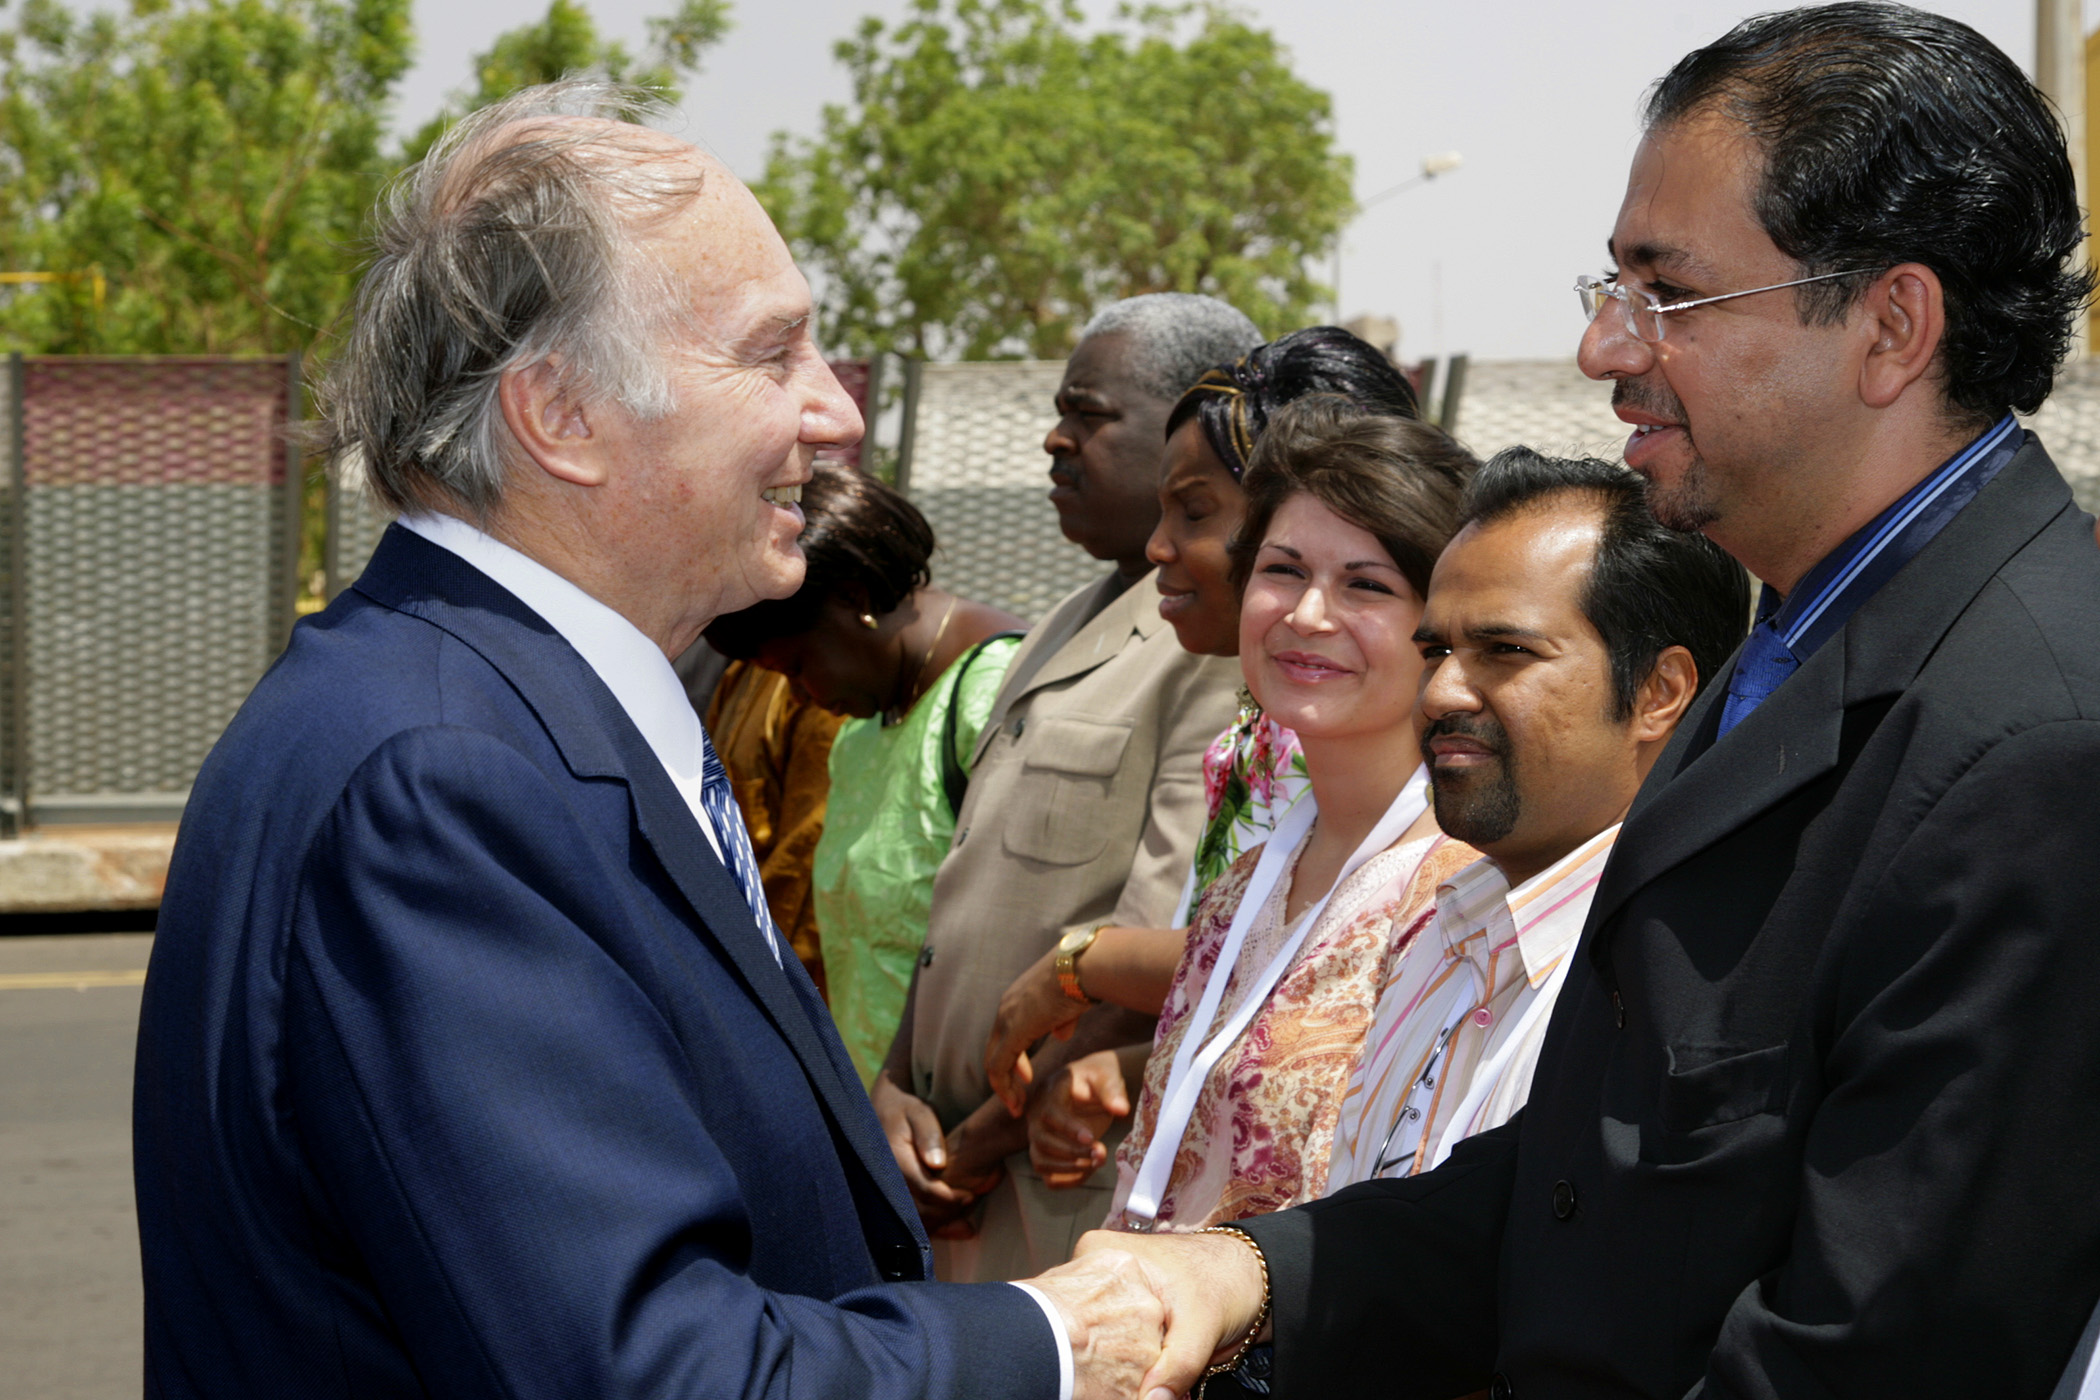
x,y
1085,807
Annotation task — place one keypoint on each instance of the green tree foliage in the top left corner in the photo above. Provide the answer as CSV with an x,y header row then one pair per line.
x,y
211,158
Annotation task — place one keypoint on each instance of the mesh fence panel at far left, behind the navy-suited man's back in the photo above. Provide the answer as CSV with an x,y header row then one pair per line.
x,y
150,526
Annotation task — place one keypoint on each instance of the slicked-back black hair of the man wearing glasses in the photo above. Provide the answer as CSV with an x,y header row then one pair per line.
x,y
1893,135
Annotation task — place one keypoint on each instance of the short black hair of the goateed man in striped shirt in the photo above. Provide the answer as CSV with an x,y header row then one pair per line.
x,y
1650,587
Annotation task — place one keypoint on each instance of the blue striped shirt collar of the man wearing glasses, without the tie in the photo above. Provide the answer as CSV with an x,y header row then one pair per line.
x,y
1851,574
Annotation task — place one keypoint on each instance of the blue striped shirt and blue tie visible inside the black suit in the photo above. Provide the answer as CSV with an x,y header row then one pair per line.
x,y
1790,629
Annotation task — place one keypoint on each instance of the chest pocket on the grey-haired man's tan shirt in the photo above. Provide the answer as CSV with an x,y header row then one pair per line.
x,y
1066,809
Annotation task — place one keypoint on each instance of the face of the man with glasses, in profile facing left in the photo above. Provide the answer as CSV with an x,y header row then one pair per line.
x,y
1740,402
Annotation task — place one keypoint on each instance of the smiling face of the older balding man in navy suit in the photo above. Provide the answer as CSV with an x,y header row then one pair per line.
x,y
700,490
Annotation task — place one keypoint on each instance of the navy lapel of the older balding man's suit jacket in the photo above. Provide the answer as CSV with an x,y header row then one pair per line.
x,y
597,740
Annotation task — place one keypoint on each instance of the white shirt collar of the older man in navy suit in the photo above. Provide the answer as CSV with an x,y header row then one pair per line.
x,y
631,666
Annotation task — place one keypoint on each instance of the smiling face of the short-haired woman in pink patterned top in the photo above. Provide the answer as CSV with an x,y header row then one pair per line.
x,y
1326,629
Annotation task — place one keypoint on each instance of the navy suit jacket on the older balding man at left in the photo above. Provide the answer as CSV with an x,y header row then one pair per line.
x,y
465,1069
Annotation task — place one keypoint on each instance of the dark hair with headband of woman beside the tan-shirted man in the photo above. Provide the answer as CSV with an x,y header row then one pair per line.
x,y
1236,402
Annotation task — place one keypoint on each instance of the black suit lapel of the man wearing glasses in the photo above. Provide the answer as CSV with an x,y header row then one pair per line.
x,y
1702,790
